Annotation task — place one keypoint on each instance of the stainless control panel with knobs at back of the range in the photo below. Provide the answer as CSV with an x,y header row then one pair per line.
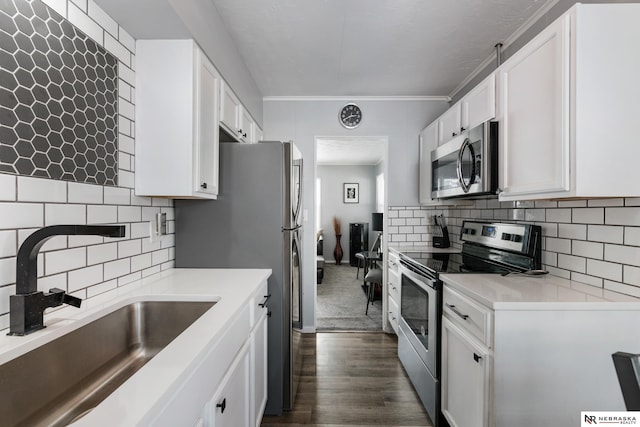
x,y
512,237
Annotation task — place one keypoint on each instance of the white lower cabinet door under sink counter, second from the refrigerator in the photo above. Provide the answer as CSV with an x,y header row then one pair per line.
x,y
230,405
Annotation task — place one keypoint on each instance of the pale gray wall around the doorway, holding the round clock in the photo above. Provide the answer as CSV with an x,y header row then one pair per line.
x,y
302,120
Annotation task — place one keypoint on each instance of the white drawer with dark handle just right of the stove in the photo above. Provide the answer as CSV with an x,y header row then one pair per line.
x,y
468,314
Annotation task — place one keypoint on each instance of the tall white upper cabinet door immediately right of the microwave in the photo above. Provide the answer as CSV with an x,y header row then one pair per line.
x,y
534,109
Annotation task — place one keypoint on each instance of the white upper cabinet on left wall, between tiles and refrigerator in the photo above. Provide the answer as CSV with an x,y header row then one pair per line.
x,y
176,120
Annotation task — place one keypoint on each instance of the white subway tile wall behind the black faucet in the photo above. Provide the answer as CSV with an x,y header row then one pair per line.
x,y
89,267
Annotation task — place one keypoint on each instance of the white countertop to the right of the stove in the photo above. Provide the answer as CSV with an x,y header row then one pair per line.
x,y
520,292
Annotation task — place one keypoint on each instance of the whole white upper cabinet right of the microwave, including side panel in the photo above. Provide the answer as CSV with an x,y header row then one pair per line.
x,y
568,107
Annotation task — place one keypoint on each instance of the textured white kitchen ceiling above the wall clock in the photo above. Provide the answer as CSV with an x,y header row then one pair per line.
x,y
368,47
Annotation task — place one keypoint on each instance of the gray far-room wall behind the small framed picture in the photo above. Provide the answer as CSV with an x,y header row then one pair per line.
x,y
333,178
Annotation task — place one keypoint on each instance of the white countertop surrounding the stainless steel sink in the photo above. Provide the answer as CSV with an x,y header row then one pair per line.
x,y
134,401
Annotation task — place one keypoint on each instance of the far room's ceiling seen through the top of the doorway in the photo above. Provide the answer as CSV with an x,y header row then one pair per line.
x,y
350,150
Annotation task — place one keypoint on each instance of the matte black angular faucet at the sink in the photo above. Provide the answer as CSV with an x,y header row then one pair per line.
x,y
26,308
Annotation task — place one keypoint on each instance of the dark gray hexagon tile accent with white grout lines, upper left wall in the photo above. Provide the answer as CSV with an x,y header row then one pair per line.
x,y
58,98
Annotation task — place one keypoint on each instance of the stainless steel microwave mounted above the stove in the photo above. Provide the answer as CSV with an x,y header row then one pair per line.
x,y
467,166
